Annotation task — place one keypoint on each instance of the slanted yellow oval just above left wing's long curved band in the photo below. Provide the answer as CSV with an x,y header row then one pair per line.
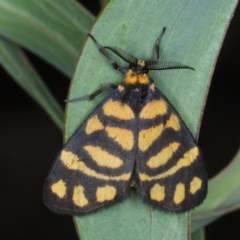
x,y
102,157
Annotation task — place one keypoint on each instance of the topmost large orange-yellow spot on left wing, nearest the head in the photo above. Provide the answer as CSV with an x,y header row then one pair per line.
x,y
118,110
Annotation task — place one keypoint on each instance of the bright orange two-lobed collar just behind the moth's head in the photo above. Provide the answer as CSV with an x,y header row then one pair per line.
x,y
133,78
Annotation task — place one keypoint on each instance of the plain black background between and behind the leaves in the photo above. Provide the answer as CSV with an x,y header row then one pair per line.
x,y
30,142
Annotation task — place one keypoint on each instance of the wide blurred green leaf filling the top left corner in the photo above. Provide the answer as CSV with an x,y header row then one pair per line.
x,y
54,30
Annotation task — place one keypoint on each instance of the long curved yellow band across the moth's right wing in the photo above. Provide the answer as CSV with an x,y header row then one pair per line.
x,y
189,157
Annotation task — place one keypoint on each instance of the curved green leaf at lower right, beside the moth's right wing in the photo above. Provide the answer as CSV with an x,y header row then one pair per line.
x,y
223,197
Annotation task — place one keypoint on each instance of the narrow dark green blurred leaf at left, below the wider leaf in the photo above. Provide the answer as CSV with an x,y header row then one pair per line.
x,y
17,65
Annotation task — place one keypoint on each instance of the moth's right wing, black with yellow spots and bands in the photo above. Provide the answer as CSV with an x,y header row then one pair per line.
x,y
171,175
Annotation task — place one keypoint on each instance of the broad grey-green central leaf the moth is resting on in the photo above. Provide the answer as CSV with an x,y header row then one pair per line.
x,y
195,31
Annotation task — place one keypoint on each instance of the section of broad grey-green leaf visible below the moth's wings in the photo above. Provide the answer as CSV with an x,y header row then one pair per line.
x,y
131,220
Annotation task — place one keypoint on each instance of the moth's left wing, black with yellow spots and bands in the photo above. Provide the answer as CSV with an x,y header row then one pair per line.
x,y
95,167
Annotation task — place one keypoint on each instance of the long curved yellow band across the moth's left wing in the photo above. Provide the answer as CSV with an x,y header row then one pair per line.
x,y
72,162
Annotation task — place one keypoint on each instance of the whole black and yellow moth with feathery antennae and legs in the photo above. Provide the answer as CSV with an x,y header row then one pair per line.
x,y
134,137
